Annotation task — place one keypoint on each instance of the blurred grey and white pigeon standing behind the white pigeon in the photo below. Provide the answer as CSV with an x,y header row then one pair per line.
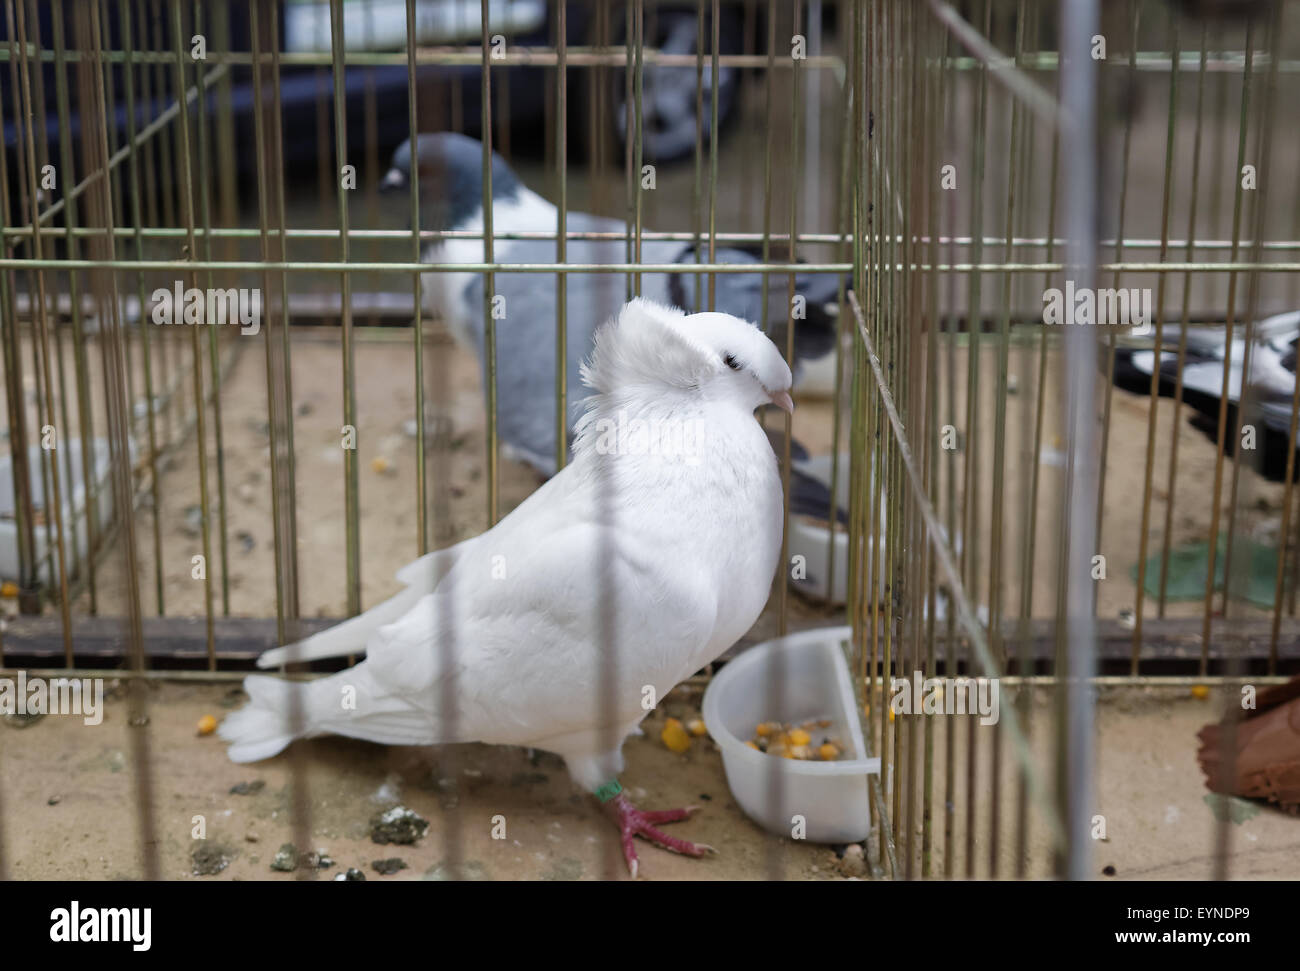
x,y
450,172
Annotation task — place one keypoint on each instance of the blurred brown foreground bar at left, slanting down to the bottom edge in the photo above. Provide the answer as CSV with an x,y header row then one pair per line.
x,y
99,206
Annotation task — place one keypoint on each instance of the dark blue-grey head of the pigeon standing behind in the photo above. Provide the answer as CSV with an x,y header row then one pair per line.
x,y
450,170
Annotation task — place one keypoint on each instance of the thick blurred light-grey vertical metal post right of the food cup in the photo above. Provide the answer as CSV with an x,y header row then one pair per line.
x,y
1080,98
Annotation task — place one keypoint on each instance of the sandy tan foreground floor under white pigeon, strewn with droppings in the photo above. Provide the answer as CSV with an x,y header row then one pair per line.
x,y
1159,823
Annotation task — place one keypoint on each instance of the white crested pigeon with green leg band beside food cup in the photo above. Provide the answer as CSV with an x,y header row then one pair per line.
x,y
647,557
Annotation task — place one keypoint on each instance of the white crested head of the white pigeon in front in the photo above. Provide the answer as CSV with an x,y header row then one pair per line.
x,y
713,357
